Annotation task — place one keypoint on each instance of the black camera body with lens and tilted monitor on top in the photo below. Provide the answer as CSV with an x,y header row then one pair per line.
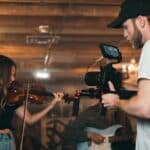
x,y
108,72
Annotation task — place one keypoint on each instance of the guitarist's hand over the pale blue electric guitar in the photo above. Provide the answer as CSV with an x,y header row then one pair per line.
x,y
96,138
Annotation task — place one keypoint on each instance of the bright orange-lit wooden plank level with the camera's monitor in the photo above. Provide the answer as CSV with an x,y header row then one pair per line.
x,y
78,56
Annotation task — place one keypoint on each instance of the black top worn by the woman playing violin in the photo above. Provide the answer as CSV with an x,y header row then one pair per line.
x,y
6,115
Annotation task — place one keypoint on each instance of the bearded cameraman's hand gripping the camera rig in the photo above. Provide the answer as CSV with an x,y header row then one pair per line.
x,y
110,100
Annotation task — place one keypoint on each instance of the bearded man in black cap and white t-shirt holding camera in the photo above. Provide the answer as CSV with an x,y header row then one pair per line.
x,y
134,17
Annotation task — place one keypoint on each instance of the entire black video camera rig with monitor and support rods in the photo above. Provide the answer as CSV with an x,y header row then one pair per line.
x,y
107,73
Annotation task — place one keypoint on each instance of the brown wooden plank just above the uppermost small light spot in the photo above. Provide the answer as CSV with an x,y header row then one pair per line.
x,y
68,21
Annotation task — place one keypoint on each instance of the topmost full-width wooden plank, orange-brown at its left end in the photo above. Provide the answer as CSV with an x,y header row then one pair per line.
x,y
58,10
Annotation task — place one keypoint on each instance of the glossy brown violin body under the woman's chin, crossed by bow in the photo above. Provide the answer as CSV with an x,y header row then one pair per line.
x,y
36,94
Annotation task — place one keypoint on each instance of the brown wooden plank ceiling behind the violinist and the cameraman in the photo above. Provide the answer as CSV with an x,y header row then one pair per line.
x,y
73,30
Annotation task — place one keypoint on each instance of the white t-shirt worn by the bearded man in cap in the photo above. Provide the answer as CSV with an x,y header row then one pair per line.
x,y
143,126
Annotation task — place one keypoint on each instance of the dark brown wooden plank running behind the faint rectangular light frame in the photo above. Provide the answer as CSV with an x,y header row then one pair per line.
x,y
20,39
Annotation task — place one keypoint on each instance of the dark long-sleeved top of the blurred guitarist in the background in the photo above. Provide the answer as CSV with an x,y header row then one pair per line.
x,y
75,132
